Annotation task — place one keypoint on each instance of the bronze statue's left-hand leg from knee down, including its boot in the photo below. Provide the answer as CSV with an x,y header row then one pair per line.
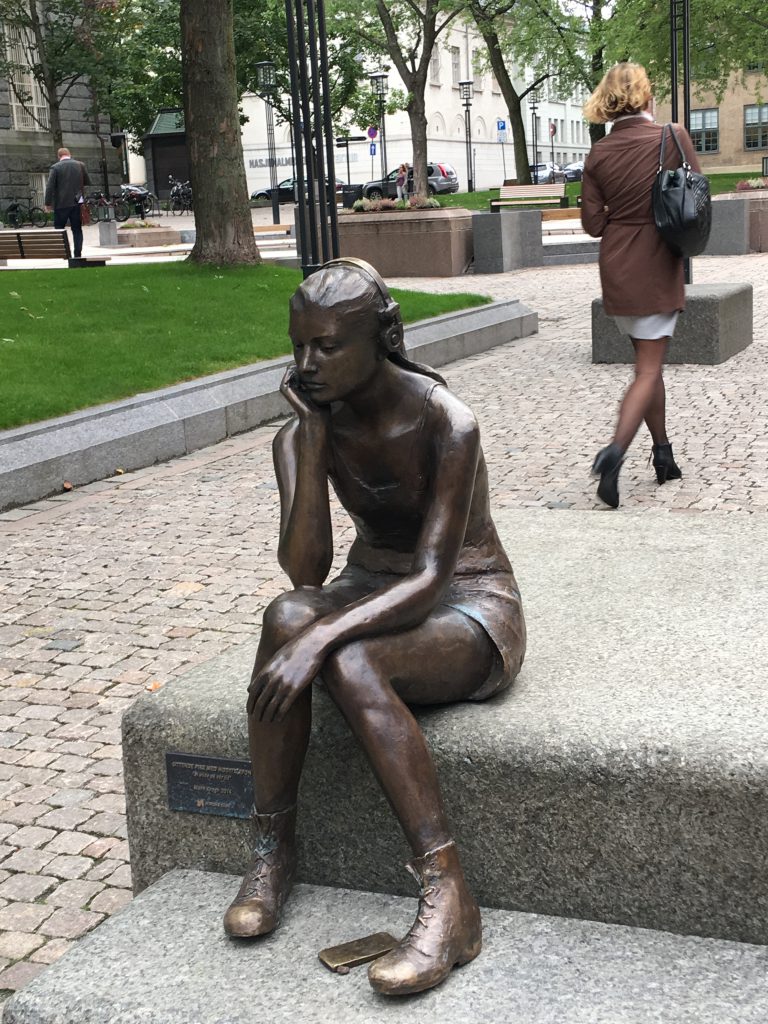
x,y
278,751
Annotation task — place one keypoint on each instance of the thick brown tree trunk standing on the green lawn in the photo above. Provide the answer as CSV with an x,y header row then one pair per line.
x,y
223,218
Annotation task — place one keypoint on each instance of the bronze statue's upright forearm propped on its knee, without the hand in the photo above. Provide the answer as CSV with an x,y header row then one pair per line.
x,y
306,550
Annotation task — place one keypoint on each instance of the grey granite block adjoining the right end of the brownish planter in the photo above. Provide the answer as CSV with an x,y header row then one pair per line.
x,y
507,241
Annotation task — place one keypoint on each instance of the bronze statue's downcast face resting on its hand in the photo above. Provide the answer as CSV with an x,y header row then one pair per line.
x,y
336,354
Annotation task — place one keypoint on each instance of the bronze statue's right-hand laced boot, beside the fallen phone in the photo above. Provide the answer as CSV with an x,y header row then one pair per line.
x,y
447,932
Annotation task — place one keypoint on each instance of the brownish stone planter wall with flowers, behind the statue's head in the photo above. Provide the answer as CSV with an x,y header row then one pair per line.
x,y
410,244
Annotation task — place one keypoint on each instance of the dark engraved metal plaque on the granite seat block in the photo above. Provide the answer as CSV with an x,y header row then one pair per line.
x,y
203,785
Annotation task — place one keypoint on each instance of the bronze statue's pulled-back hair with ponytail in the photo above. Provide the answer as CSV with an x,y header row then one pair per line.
x,y
349,285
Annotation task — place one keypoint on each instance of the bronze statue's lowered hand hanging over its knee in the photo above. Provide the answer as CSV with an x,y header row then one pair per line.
x,y
290,671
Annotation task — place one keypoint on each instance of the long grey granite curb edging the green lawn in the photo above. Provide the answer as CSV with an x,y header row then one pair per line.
x,y
38,459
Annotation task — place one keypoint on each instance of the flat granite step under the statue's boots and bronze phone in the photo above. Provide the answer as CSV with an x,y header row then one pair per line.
x,y
165,960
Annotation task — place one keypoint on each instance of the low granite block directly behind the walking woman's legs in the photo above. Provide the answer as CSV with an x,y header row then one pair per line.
x,y
715,325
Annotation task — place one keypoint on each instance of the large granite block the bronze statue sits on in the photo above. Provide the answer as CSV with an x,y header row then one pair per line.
x,y
623,779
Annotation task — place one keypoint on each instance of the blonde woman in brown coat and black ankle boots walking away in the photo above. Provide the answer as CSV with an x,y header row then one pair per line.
x,y
643,280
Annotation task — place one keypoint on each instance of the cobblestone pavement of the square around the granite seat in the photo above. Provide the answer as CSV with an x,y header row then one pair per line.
x,y
122,585
